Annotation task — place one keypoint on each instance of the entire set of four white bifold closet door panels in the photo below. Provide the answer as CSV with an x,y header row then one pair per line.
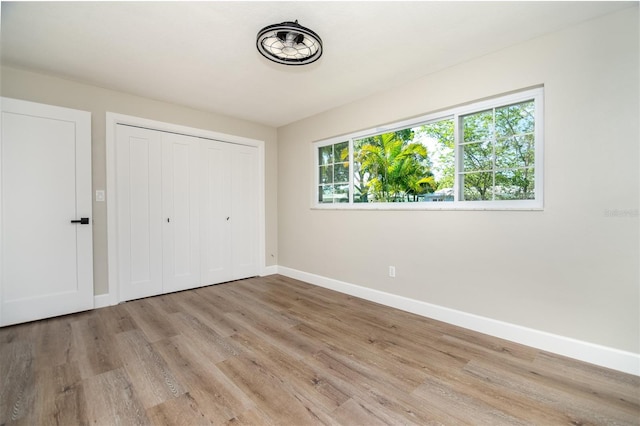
x,y
187,211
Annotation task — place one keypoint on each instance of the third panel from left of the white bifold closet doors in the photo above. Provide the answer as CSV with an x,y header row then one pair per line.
x,y
216,212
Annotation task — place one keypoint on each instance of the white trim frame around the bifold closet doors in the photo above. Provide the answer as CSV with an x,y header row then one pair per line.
x,y
114,119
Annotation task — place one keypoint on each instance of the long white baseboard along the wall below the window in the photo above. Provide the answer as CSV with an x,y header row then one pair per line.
x,y
604,356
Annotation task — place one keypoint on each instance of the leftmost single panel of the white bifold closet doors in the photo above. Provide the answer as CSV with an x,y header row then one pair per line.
x,y
139,211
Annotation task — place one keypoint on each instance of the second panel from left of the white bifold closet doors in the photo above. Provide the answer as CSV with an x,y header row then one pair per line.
x,y
181,238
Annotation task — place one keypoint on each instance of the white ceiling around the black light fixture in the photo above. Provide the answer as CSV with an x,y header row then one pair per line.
x,y
203,54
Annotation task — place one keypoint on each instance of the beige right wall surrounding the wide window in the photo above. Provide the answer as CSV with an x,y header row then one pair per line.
x,y
572,269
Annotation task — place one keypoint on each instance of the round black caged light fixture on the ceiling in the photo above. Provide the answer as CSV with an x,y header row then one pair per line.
x,y
289,43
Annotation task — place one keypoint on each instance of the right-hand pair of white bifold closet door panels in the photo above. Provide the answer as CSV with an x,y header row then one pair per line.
x,y
229,206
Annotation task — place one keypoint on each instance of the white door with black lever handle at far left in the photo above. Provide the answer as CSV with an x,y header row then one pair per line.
x,y
46,261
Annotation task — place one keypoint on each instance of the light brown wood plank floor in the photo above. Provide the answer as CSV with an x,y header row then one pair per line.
x,y
277,351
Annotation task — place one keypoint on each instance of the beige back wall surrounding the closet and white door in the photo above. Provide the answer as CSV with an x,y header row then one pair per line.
x,y
46,89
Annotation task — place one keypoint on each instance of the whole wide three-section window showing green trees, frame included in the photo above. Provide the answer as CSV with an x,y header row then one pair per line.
x,y
486,155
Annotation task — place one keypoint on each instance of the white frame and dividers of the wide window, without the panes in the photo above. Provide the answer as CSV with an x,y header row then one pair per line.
x,y
456,113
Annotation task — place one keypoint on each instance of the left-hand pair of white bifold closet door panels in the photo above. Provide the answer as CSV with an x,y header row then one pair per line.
x,y
157,212
